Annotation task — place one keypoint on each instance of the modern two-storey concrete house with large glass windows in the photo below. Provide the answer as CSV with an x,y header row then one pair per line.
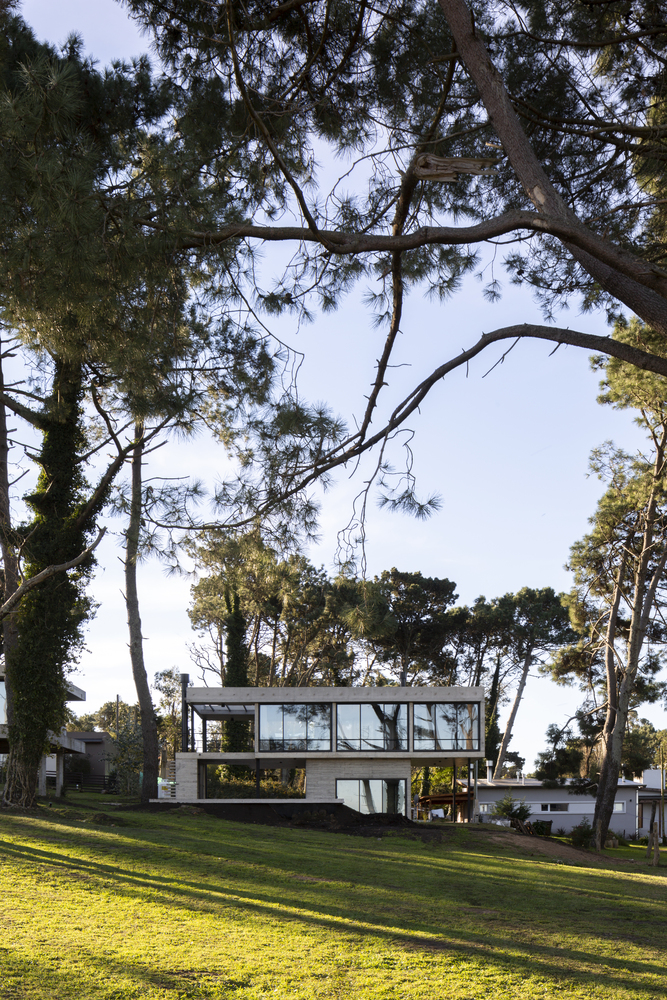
x,y
357,744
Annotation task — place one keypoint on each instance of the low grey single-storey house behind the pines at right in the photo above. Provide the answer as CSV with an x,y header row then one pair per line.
x,y
556,804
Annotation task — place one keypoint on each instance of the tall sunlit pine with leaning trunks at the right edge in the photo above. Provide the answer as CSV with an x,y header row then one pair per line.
x,y
621,583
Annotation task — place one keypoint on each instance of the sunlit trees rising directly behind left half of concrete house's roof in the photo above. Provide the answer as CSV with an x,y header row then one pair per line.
x,y
299,625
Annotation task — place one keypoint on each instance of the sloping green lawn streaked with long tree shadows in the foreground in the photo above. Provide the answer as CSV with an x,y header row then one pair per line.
x,y
181,906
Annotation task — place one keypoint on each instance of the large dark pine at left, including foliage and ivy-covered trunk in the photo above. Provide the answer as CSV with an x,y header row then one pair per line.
x,y
82,282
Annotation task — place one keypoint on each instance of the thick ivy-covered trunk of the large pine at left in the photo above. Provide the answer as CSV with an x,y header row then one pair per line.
x,y
49,618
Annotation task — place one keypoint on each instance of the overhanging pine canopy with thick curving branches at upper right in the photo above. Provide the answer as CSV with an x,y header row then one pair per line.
x,y
537,125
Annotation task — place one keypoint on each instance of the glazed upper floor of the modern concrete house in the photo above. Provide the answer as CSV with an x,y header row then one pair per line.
x,y
433,722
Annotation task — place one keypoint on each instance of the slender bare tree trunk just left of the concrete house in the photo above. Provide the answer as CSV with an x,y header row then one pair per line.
x,y
151,750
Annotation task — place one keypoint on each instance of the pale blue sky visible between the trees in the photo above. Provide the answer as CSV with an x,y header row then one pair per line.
x,y
507,451
